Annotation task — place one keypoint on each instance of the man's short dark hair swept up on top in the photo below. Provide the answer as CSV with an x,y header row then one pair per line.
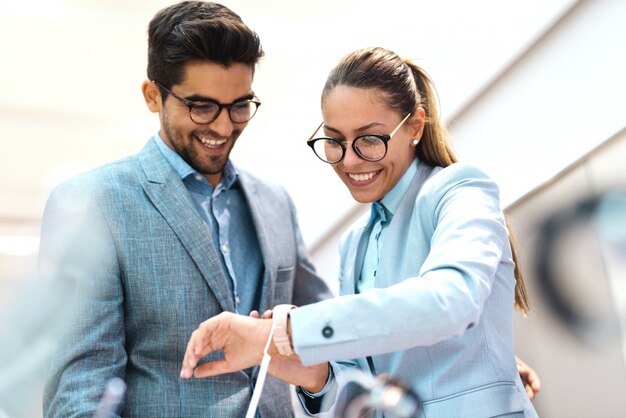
x,y
196,31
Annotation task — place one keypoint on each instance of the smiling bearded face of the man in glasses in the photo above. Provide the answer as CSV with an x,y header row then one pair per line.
x,y
205,147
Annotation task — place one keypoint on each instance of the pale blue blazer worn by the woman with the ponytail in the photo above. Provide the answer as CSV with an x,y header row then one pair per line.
x,y
440,315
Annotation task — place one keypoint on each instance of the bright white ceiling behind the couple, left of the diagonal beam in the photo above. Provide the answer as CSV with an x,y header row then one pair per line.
x,y
72,71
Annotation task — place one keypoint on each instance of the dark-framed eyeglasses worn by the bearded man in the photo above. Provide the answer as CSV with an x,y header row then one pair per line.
x,y
207,111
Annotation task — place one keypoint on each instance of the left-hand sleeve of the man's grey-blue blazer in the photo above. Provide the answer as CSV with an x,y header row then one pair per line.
x,y
77,252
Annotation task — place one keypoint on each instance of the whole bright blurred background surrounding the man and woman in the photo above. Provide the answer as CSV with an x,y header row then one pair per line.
x,y
533,92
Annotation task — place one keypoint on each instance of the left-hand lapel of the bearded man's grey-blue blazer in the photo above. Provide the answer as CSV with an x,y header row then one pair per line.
x,y
169,196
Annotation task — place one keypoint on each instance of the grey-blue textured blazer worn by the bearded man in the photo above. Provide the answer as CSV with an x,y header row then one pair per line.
x,y
146,274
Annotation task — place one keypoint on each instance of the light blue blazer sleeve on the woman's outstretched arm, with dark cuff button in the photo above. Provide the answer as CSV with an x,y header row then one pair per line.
x,y
468,234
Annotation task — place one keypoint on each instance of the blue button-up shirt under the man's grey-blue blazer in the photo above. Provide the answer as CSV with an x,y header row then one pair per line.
x,y
227,216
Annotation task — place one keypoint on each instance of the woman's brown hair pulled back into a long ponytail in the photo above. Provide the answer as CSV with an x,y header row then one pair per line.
x,y
405,86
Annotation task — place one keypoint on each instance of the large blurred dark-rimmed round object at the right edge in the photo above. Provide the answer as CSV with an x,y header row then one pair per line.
x,y
584,243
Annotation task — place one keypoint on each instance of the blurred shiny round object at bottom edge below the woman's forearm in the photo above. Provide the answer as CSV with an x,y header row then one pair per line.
x,y
364,394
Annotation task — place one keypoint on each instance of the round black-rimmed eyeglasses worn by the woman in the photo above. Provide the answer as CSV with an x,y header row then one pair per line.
x,y
370,147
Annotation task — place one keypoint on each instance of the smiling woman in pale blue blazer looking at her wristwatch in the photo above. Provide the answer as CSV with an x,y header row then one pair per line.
x,y
428,279
